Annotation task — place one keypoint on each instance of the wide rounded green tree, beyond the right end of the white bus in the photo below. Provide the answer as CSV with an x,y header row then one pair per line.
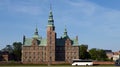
x,y
98,54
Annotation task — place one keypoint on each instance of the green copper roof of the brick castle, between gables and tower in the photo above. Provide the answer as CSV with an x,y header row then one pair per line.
x,y
43,42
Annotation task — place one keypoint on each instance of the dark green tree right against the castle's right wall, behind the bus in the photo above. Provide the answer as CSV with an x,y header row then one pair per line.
x,y
83,52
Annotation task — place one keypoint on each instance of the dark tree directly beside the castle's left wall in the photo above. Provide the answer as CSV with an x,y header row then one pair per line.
x,y
17,47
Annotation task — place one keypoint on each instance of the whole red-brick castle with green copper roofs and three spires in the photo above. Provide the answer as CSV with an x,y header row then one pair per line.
x,y
38,50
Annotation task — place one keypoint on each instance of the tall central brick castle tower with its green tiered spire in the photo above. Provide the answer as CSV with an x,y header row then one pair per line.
x,y
51,37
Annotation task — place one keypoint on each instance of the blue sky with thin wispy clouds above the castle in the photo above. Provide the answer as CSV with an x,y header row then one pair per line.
x,y
95,22
